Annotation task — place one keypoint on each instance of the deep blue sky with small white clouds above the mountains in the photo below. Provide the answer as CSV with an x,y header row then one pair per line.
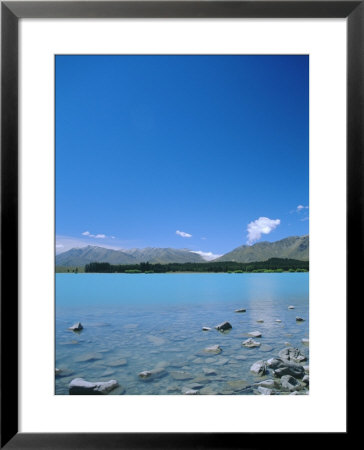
x,y
198,152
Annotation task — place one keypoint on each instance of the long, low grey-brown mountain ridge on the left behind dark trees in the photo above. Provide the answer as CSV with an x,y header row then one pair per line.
x,y
86,255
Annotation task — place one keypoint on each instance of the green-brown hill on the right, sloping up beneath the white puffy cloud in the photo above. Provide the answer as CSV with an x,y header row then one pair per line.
x,y
294,247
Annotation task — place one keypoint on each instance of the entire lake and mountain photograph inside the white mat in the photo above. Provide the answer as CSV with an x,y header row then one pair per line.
x,y
181,224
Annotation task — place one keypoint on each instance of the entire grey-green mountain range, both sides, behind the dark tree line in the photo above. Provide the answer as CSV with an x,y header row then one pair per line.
x,y
294,247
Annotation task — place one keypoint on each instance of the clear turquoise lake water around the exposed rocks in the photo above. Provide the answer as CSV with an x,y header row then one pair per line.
x,y
137,322
